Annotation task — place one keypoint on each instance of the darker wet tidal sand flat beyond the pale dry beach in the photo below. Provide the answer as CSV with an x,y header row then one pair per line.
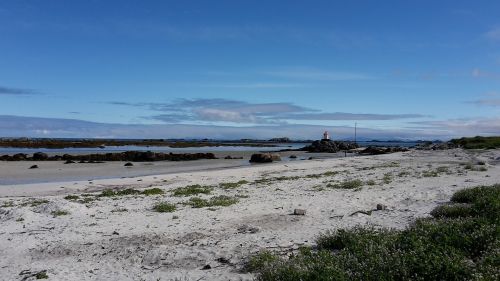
x,y
12,173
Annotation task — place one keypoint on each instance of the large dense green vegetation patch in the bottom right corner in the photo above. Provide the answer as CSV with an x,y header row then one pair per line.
x,y
461,242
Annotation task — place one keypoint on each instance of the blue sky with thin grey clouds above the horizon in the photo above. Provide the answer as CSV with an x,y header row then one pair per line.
x,y
231,69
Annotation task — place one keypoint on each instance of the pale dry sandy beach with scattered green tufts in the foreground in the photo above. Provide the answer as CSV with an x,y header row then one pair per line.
x,y
122,238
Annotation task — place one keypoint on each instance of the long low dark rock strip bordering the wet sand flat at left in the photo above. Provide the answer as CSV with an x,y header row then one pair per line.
x,y
134,156
